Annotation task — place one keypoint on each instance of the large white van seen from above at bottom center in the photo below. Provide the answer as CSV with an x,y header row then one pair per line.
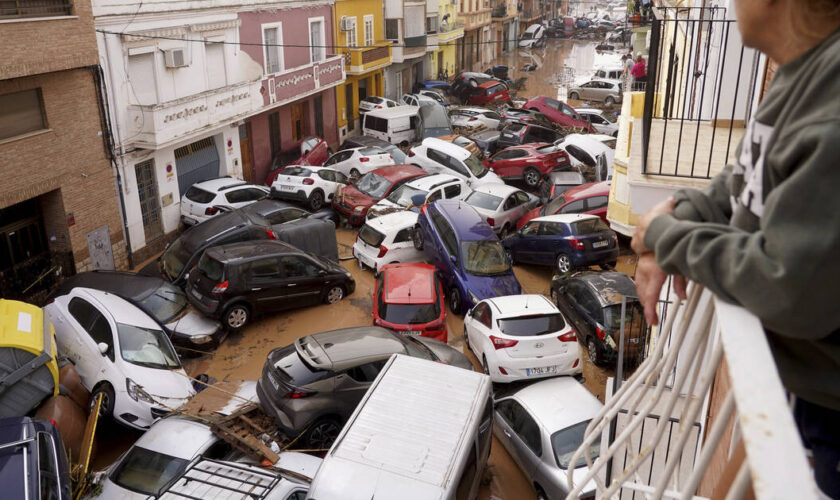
x,y
422,431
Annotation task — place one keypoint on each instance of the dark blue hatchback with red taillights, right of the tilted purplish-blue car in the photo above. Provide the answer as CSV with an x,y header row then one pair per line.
x,y
566,241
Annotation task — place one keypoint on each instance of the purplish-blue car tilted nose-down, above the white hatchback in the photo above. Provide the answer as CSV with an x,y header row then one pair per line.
x,y
472,262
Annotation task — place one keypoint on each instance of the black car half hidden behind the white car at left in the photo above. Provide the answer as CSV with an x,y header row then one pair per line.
x,y
158,298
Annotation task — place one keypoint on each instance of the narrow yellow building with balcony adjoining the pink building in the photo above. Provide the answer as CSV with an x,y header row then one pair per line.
x,y
360,38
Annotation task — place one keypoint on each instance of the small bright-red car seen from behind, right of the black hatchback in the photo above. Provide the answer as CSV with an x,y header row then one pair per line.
x,y
409,299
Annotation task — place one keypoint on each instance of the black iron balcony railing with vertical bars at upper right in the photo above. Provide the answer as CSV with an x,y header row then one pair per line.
x,y
699,92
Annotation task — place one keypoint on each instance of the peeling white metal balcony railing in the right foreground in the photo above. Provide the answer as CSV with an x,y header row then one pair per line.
x,y
673,385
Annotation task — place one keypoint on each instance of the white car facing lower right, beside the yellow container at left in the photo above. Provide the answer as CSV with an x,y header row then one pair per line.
x,y
121,353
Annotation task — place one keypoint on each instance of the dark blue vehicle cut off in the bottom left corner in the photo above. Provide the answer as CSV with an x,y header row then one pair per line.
x,y
32,460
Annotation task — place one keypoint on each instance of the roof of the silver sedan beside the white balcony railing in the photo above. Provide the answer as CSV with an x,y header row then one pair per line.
x,y
558,402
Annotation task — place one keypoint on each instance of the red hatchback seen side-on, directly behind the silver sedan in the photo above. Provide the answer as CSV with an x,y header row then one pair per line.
x,y
529,162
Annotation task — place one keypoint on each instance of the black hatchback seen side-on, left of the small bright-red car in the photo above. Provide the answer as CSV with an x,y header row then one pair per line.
x,y
238,281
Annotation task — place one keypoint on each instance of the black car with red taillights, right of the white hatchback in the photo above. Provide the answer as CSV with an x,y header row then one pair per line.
x,y
591,301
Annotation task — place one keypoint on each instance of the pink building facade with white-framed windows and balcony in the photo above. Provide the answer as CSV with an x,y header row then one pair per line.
x,y
298,83
